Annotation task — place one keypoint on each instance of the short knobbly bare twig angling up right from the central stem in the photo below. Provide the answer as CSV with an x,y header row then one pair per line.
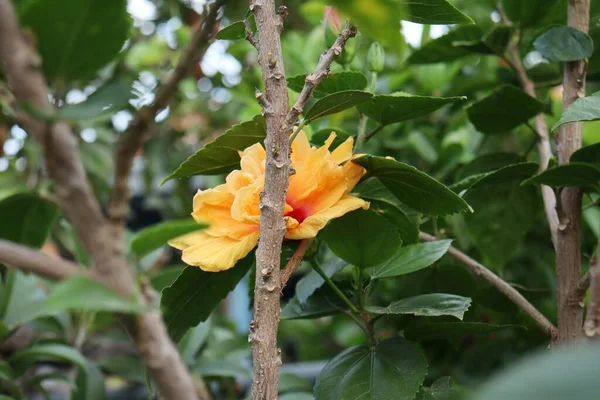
x,y
321,72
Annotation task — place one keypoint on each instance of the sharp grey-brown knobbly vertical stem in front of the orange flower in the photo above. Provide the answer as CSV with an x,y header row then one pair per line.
x,y
263,329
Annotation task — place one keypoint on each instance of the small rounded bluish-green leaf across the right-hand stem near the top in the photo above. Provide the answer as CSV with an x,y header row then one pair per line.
x,y
564,44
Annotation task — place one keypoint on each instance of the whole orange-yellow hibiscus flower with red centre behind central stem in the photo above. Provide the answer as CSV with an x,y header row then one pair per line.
x,y
318,192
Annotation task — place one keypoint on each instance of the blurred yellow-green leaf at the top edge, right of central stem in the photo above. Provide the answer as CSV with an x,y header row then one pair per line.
x,y
377,19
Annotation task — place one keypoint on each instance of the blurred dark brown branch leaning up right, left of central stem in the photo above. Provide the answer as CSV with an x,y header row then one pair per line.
x,y
138,131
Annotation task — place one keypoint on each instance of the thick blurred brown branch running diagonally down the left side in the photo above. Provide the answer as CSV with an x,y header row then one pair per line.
x,y
77,200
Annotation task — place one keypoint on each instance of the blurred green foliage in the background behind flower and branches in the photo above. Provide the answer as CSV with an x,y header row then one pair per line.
x,y
100,94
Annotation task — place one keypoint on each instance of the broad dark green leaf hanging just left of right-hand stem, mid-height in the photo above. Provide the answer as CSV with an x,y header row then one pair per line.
x,y
503,213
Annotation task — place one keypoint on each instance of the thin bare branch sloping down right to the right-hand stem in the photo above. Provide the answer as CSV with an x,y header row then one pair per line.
x,y
511,293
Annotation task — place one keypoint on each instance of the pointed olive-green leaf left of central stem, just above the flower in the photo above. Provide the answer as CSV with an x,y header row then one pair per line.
x,y
221,156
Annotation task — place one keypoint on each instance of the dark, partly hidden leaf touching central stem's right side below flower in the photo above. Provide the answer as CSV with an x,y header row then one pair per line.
x,y
322,302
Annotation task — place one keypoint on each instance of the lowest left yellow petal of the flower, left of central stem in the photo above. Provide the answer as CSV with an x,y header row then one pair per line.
x,y
214,254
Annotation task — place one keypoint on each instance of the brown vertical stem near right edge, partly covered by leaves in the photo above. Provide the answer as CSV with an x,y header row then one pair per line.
x,y
568,240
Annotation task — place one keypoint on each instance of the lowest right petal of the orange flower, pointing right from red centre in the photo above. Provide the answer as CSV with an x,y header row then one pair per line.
x,y
313,224
